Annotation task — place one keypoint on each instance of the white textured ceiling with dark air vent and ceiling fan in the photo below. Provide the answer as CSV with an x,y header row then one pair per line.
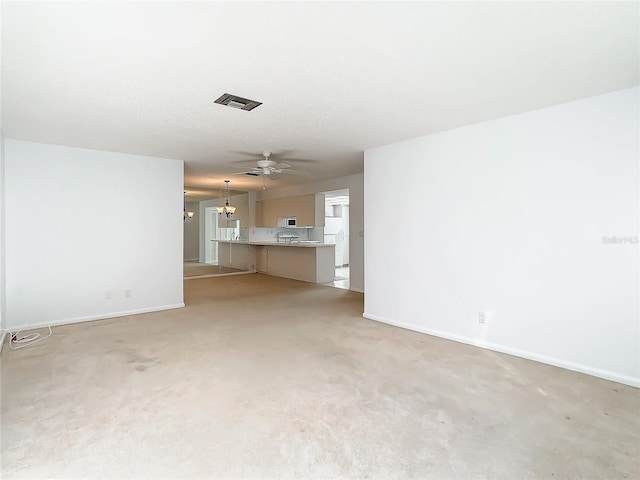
x,y
334,78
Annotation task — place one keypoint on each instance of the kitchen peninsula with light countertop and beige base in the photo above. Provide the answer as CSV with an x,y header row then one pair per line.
x,y
306,261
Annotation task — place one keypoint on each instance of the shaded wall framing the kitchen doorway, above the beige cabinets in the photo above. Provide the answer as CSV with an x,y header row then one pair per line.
x,y
355,184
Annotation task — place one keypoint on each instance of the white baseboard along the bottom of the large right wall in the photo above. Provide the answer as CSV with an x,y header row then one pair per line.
x,y
557,362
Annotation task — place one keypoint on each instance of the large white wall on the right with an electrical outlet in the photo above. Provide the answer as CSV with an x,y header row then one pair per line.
x,y
509,216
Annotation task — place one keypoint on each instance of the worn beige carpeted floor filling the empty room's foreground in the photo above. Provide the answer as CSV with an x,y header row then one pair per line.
x,y
267,378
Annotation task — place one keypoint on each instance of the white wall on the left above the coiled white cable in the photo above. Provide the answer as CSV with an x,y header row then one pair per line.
x,y
81,223
